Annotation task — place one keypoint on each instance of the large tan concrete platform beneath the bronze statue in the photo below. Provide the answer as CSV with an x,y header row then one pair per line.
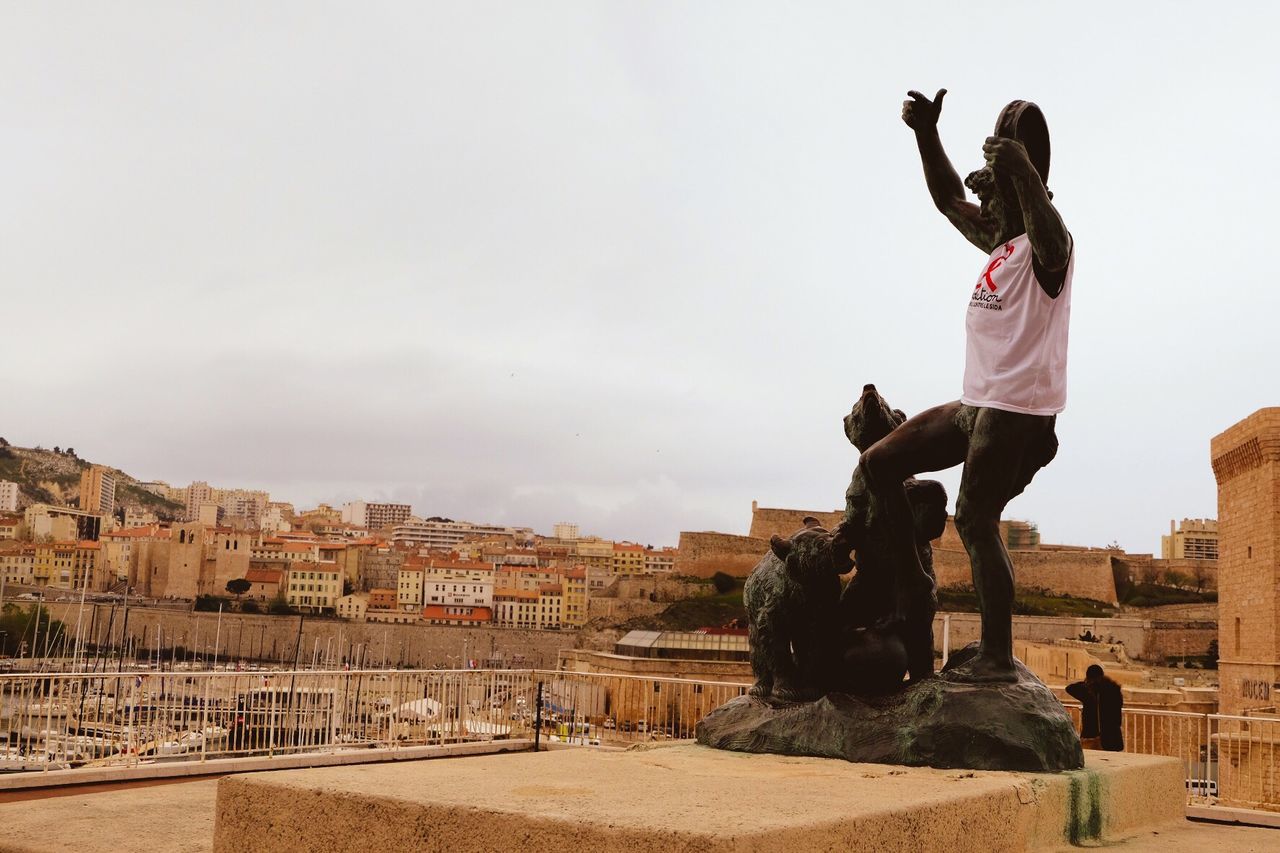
x,y
689,799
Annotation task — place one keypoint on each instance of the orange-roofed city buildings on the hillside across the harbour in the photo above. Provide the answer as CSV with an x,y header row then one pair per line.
x,y
499,576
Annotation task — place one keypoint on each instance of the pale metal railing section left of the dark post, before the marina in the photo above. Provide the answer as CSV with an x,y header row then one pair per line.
x,y
54,722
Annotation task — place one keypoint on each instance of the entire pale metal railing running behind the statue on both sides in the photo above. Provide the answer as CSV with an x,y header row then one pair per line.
x,y
51,722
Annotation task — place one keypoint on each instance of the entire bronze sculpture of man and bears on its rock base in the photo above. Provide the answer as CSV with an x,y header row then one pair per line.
x,y
830,664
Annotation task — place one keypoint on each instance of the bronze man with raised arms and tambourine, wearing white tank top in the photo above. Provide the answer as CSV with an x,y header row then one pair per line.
x,y
1016,364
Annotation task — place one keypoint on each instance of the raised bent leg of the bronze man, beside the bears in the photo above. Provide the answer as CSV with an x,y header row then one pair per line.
x,y
931,441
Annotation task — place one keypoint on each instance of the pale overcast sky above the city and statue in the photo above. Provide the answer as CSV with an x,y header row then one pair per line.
x,y
618,264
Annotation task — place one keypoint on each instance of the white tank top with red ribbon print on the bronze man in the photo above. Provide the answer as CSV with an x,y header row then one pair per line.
x,y
1016,343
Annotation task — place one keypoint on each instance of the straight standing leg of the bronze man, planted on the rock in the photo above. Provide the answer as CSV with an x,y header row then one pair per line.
x,y
998,445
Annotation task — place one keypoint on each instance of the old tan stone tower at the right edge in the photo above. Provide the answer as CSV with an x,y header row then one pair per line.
x,y
1247,467
